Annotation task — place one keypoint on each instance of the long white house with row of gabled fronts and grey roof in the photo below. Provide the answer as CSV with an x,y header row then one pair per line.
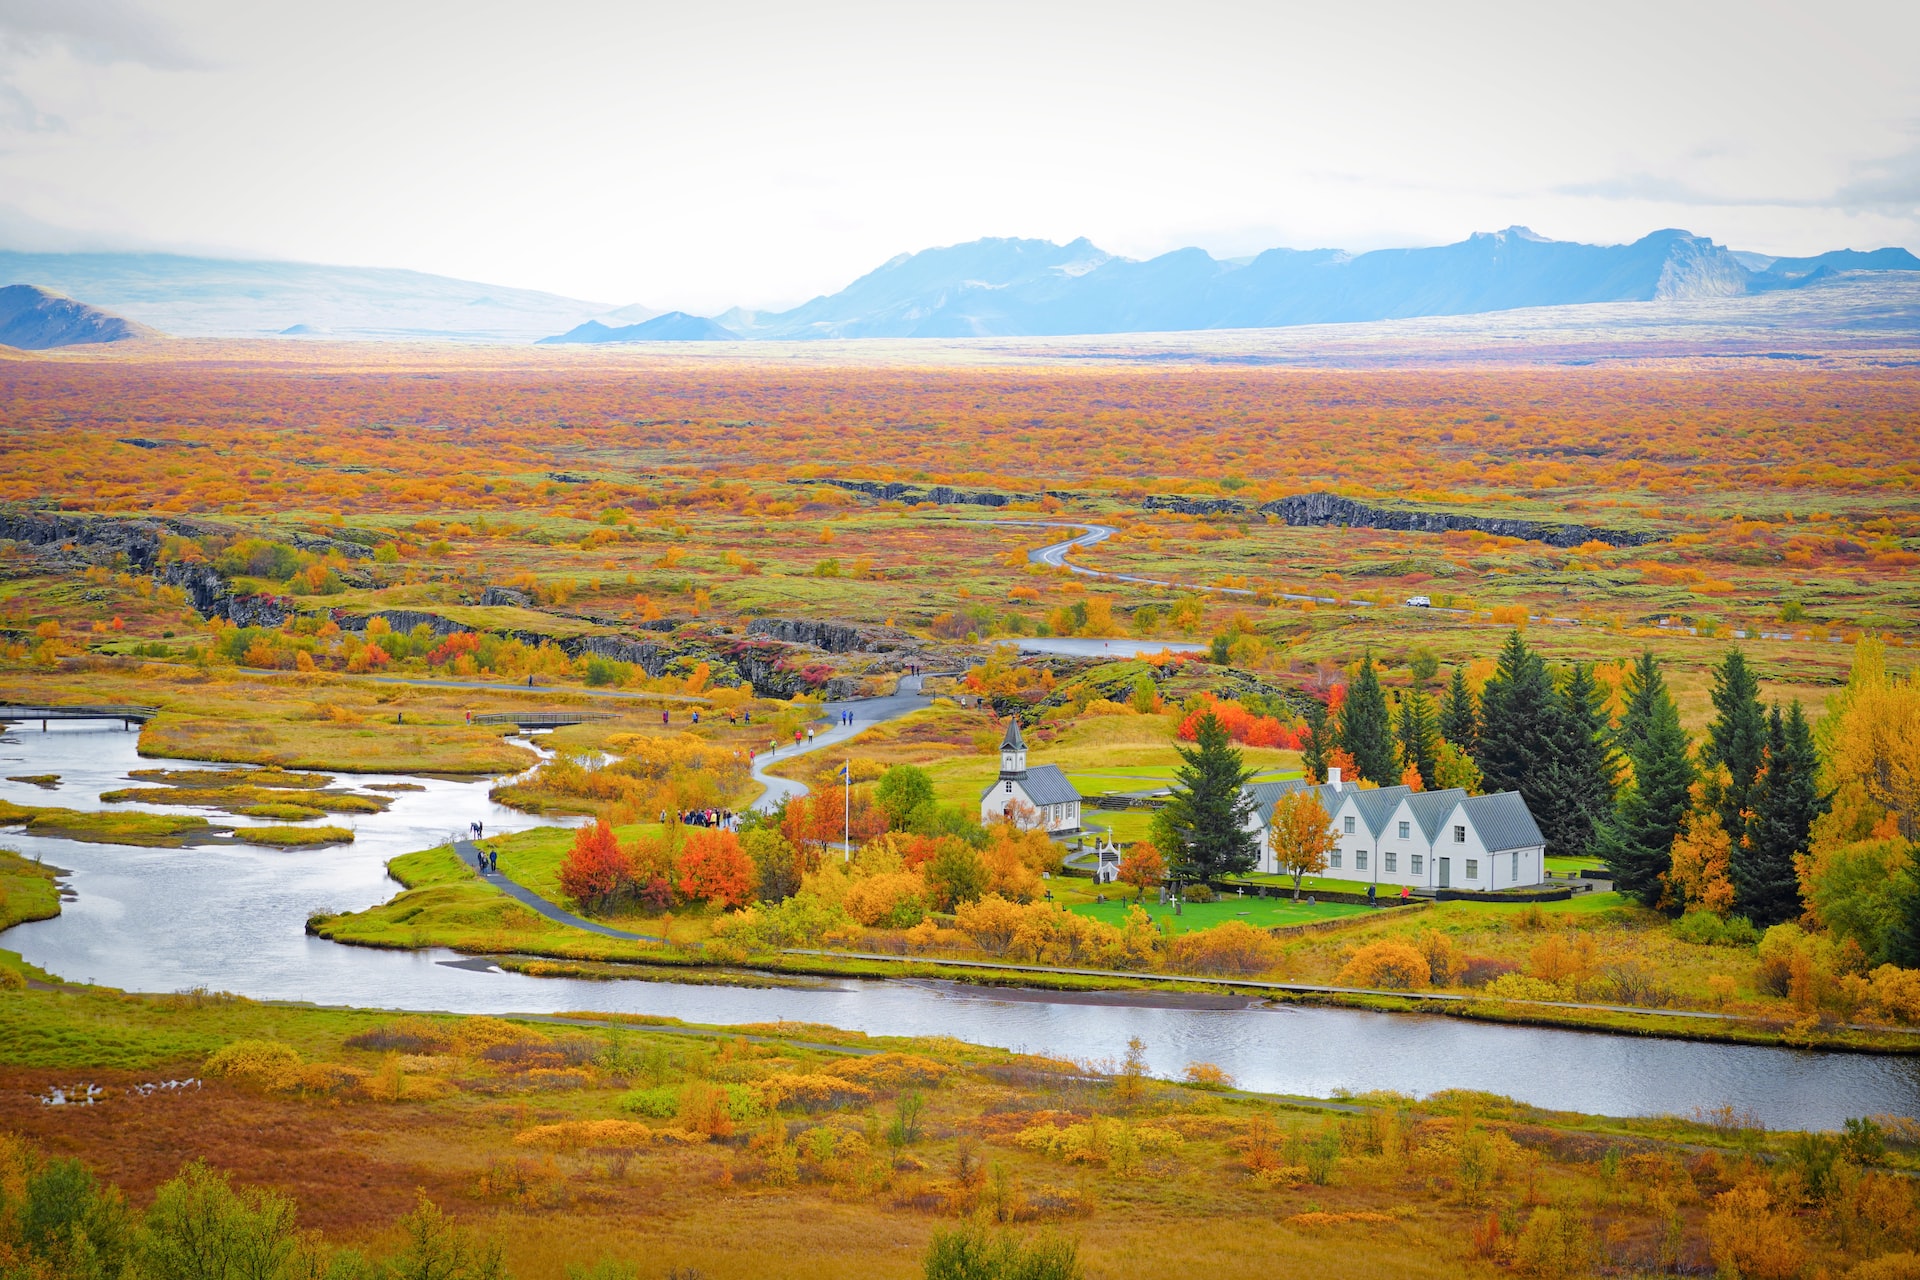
x,y
1424,840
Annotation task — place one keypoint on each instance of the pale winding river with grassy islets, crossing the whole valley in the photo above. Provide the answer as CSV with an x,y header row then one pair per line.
x,y
229,918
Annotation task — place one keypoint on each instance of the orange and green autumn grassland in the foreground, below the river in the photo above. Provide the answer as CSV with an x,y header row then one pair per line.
x,y
811,1152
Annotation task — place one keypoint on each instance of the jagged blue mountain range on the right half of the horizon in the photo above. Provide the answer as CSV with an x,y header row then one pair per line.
x,y
1034,287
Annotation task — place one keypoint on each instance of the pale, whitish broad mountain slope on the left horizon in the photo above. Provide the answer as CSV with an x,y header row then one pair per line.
x,y
224,298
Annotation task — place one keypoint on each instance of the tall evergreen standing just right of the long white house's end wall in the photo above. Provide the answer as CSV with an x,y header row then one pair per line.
x,y
1654,805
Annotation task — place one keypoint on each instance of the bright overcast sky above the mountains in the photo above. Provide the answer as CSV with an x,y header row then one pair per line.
x,y
709,154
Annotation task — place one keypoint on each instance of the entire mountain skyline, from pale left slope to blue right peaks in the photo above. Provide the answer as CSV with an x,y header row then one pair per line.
x,y
1001,289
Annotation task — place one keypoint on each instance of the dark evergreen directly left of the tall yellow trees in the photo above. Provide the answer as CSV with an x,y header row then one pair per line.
x,y
1787,801
